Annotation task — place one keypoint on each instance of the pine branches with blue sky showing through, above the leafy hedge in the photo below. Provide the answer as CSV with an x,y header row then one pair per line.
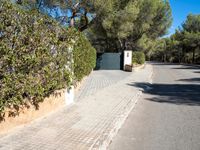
x,y
78,8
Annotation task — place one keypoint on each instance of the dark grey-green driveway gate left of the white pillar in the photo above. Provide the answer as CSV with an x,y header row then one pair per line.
x,y
109,61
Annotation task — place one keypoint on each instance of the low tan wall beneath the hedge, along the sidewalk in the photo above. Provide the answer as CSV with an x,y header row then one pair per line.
x,y
50,104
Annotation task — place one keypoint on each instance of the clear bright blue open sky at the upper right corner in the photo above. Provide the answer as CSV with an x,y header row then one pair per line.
x,y
180,10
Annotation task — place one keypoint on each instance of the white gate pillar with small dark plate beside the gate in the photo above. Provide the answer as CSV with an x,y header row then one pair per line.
x,y
128,60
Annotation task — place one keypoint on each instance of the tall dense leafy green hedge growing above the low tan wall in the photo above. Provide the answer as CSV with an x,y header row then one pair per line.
x,y
35,59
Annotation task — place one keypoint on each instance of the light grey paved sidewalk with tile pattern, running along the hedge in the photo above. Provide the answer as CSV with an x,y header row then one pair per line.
x,y
88,124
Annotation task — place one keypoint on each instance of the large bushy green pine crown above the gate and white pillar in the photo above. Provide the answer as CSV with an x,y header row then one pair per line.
x,y
128,21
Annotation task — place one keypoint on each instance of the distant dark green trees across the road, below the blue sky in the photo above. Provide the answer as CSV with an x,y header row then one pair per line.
x,y
184,44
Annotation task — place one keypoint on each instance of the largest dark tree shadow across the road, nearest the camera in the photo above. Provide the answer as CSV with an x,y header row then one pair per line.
x,y
179,94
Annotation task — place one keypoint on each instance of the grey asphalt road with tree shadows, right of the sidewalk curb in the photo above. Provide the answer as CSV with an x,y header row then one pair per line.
x,y
167,117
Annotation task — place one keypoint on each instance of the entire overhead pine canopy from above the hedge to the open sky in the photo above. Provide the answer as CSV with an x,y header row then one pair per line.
x,y
114,20
